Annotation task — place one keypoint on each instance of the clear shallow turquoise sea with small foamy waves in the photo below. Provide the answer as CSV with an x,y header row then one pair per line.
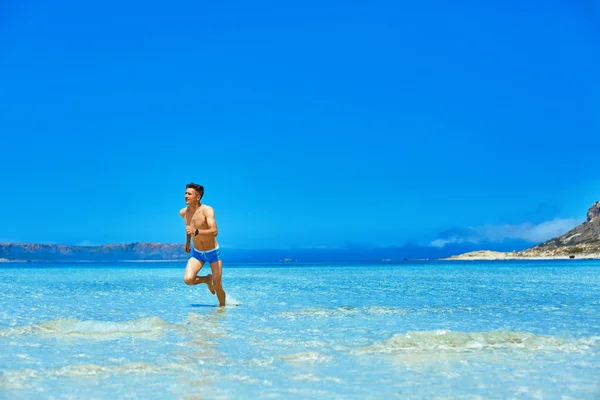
x,y
424,330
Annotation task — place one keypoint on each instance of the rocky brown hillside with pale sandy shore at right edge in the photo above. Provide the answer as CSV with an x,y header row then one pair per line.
x,y
582,241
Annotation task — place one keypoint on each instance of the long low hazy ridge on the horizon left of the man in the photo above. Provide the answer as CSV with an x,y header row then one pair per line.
x,y
110,252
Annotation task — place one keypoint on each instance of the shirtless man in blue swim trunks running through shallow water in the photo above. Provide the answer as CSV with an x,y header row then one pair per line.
x,y
201,227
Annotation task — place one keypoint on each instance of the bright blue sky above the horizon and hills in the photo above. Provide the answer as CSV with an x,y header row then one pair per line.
x,y
310,123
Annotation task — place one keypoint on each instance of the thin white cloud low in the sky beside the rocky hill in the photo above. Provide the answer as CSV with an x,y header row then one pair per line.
x,y
535,233
